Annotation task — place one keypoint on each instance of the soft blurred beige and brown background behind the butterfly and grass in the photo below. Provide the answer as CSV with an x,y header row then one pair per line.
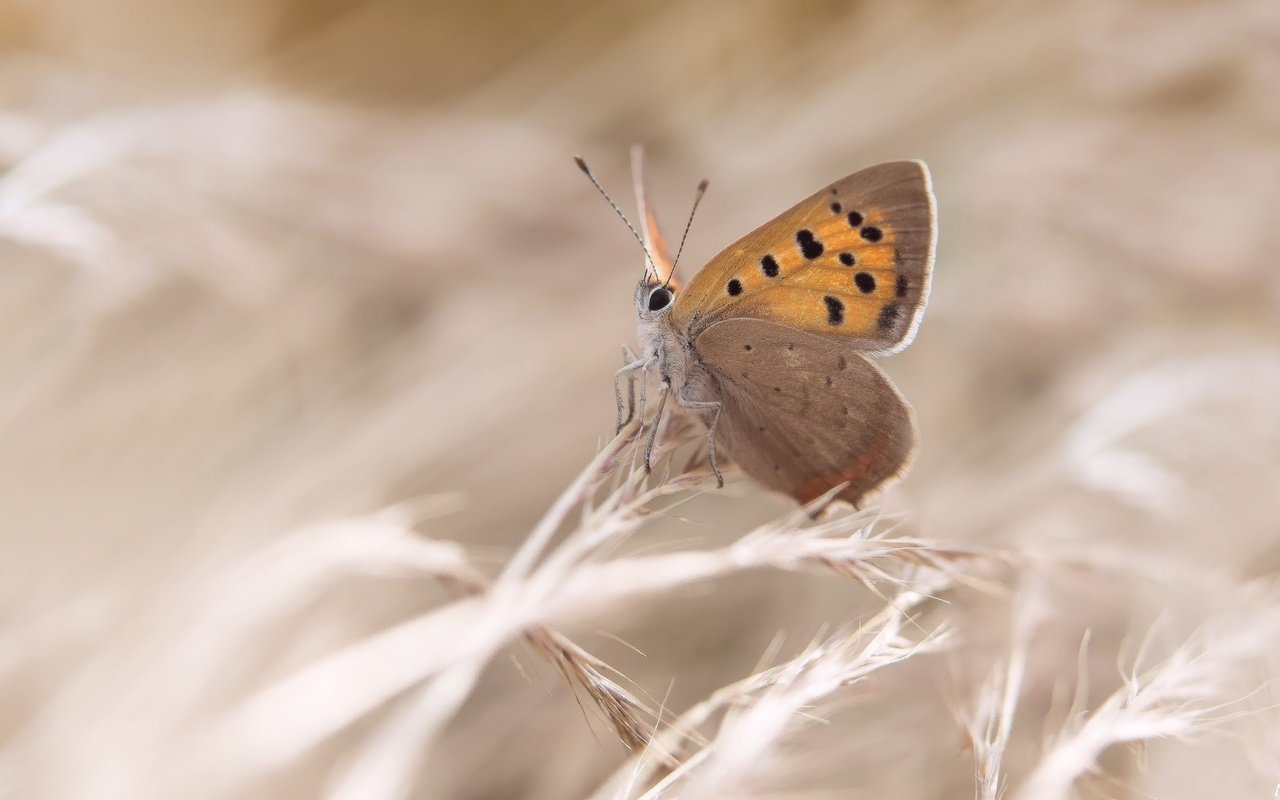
x,y
267,264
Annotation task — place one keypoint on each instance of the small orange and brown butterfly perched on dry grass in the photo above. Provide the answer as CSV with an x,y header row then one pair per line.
x,y
770,341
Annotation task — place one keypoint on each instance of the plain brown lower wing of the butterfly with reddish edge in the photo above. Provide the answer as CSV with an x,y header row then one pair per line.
x,y
804,413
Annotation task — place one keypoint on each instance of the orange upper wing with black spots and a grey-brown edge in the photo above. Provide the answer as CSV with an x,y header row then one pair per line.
x,y
852,262
